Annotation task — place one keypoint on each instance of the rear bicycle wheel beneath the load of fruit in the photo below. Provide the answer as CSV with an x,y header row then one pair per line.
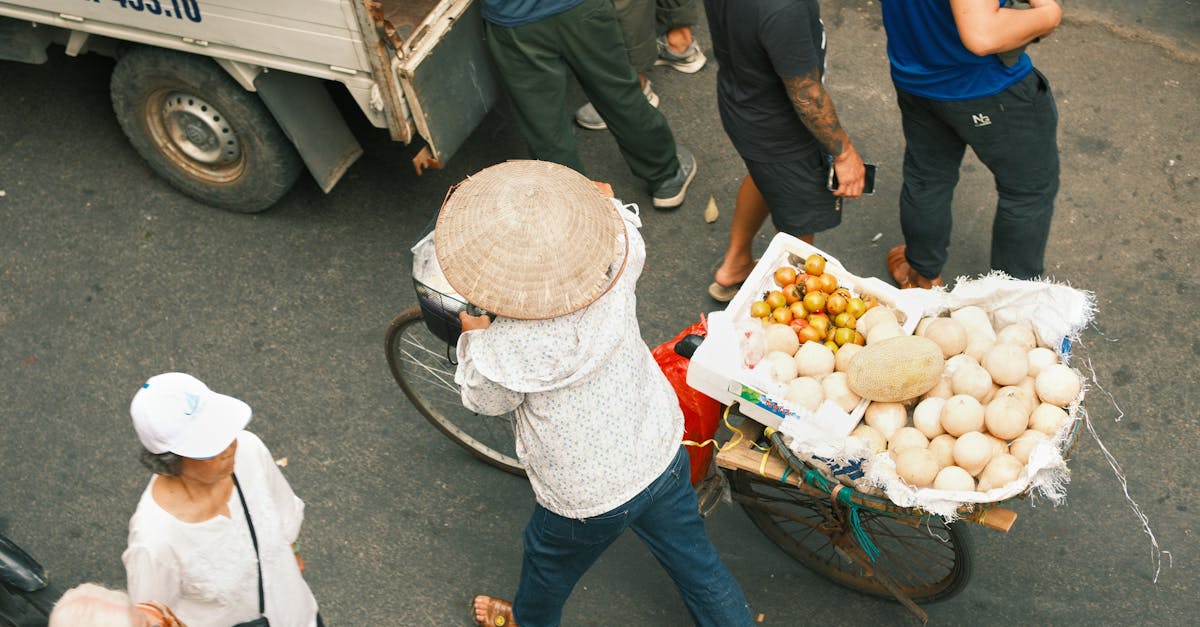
x,y
927,558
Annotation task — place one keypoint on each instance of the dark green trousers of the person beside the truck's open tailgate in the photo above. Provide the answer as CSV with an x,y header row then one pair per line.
x,y
533,62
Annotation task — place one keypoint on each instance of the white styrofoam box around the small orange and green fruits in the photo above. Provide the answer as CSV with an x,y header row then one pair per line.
x,y
719,371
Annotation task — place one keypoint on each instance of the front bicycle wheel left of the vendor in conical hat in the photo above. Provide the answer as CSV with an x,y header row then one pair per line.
x,y
422,365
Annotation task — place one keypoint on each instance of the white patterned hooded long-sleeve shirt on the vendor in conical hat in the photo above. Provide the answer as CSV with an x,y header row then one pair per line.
x,y
596,420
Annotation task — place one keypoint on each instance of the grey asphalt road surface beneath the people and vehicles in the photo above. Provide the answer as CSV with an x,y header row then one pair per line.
x,y
109,276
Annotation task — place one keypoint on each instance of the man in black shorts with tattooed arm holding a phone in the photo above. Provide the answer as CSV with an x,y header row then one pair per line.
x,y
783,123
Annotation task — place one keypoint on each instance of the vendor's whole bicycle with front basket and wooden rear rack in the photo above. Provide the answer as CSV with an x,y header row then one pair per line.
x,y
857,540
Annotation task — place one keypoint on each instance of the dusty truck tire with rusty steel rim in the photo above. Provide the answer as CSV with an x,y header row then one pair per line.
x,y
199,129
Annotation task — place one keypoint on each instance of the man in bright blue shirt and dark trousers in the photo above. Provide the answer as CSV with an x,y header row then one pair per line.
x,y
962,79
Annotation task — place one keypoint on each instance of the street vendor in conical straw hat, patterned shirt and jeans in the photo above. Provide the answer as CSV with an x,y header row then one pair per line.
x,y
598,426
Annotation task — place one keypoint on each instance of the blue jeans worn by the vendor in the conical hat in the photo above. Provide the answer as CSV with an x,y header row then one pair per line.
x,y
559,551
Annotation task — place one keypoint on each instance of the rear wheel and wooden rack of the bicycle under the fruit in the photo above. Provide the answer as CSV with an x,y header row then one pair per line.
x,y
857,540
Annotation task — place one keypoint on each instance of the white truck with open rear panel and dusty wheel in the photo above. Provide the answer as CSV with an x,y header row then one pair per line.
x,y
230,100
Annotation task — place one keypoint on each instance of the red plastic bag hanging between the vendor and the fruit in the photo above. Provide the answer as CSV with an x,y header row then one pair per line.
x,y
701,414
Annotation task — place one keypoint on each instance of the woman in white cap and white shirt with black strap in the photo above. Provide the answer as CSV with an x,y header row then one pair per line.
x,y
191,546
